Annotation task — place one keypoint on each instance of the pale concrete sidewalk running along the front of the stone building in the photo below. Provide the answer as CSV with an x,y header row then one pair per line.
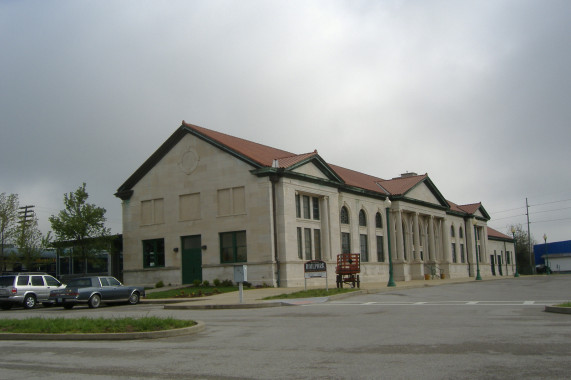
x,y
252,298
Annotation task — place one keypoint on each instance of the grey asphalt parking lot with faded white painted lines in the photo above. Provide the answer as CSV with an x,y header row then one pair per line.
x,y
490,329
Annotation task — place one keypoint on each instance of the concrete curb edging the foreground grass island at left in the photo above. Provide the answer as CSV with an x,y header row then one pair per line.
x,y
200,326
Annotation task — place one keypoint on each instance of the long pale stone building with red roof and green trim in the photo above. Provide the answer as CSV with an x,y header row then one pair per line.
x,y
206,201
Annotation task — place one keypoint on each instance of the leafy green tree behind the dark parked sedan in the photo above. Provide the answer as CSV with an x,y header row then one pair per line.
x,y
82,225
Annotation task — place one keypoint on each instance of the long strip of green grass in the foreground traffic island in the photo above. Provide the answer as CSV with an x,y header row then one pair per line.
x,y
85,325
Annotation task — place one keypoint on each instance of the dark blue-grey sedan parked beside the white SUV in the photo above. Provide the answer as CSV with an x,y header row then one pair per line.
x,y
94,290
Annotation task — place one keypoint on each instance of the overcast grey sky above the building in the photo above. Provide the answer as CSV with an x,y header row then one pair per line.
x,y
474,93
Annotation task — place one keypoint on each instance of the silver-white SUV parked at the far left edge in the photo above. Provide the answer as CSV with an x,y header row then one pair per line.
x,y
27,289
